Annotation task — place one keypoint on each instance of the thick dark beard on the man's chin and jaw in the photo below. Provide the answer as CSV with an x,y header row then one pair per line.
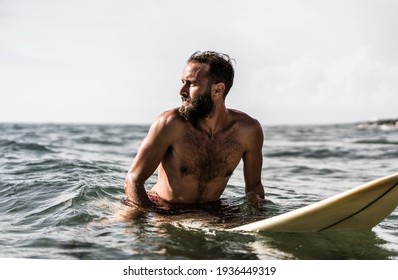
x,y
197,108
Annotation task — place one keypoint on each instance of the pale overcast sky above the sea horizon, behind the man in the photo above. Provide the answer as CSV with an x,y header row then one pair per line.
x,y
120,61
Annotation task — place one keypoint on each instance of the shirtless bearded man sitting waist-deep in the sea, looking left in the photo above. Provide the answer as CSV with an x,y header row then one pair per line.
x,y
196,147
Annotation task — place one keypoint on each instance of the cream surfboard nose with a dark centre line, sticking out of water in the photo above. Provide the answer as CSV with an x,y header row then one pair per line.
x,y
362,207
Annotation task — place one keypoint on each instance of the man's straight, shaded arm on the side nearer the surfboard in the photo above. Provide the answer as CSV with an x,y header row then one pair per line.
x,y
253,161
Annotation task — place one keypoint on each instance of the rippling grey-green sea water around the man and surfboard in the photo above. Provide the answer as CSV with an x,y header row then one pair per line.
x,y
61,186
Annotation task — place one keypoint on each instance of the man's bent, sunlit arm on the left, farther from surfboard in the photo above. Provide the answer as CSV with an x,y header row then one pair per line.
x,y
149,155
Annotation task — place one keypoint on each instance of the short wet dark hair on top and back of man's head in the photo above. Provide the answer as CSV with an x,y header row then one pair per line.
x,y
221,69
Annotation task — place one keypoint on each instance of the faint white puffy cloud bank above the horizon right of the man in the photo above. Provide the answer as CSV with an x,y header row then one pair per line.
x,y
309,89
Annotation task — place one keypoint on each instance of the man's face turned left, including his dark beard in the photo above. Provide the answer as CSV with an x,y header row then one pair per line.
x,y
196,92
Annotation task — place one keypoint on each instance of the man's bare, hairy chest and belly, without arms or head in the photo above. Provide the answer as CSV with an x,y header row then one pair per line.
x,y
196,167
